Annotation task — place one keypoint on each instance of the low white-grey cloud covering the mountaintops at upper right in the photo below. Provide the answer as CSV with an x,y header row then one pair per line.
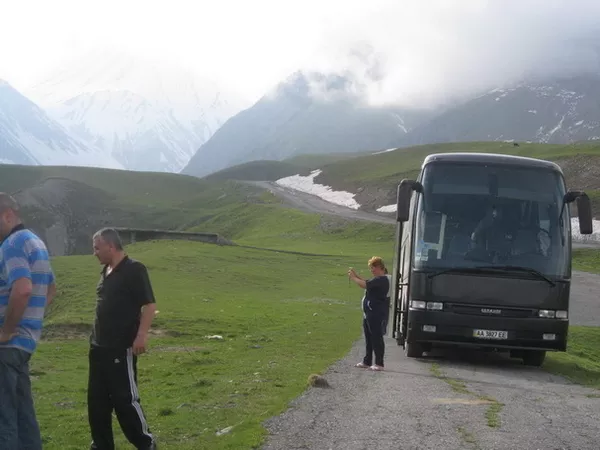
x,y
416,53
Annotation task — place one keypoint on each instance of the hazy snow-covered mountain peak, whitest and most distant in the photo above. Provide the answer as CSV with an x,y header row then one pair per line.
x,y
148,115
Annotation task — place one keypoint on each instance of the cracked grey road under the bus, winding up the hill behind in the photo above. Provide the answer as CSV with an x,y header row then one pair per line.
x,y
448,400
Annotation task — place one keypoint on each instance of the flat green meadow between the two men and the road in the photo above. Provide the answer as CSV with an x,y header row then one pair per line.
x,y
282,317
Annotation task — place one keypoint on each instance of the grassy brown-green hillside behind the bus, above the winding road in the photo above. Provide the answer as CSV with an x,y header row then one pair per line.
x,y
374,177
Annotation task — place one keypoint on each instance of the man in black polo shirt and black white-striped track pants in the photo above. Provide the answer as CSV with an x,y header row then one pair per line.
x,y
125,308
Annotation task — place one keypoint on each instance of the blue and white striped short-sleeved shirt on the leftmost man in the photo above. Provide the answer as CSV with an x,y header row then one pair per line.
x,y
24,255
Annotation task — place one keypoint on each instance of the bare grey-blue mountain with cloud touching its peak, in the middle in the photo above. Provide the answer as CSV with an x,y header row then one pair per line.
x,y
295,119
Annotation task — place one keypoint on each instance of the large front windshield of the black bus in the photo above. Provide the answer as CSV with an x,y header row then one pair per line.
x,y
472,215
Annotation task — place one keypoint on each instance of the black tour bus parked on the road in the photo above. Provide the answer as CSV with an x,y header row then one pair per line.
x,y
483,255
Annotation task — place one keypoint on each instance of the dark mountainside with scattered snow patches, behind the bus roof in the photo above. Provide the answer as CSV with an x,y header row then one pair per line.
x,y
559,111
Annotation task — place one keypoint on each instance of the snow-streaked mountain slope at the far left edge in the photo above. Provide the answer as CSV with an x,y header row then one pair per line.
x,y
28,136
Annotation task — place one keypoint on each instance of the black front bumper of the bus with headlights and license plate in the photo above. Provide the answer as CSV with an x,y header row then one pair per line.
x,y
439,327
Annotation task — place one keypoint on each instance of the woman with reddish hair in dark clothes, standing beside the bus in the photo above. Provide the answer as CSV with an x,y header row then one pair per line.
x,y
375,306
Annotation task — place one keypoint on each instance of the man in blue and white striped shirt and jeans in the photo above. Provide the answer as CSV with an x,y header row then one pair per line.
x,y
26,287
